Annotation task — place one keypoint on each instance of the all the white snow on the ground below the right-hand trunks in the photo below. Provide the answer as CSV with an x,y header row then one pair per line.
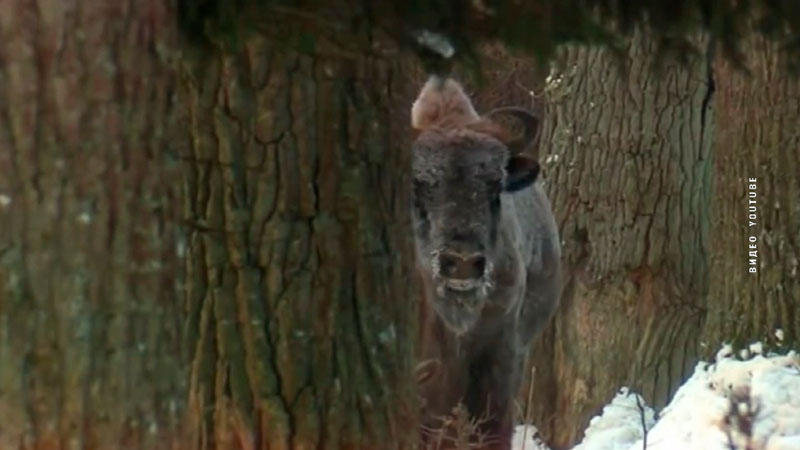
x,y
751,404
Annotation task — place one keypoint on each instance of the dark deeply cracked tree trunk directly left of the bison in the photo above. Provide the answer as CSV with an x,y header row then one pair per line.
x,y
299,306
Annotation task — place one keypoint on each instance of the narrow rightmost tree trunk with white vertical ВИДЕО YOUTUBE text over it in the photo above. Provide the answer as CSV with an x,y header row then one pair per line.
x,y
756,137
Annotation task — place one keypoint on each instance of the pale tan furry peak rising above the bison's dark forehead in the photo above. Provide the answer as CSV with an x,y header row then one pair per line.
x,y
442,100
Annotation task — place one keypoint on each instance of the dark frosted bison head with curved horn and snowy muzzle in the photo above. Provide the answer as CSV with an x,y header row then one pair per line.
x,y
461,165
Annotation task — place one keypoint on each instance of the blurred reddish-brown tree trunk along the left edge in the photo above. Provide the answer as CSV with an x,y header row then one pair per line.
x,y
88,235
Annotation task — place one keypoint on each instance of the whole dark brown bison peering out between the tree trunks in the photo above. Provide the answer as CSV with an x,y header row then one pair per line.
x,y
487,249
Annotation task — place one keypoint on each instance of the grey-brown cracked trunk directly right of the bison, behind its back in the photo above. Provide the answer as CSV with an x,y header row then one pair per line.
x,y
627,164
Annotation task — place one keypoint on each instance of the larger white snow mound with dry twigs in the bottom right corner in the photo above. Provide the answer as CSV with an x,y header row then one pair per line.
x,y
753,404
